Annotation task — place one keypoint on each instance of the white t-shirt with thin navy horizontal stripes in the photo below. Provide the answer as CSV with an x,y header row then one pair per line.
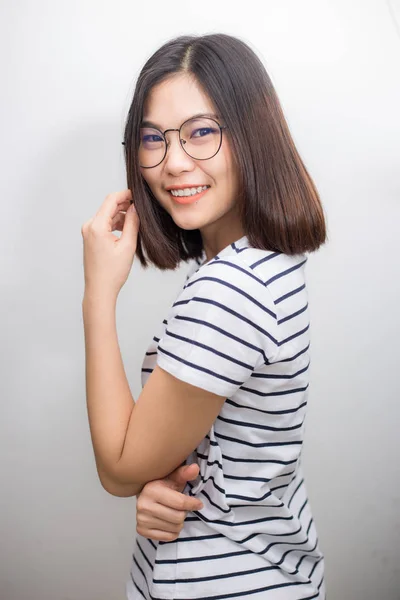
x,y
240,328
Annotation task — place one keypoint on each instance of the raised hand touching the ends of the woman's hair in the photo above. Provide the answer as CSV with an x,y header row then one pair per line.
x,y
107,258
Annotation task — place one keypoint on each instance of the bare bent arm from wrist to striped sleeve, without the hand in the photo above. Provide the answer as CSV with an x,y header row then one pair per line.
x,y
135,443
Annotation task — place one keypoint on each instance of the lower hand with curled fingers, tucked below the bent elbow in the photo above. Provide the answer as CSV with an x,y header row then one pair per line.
x,y
161,508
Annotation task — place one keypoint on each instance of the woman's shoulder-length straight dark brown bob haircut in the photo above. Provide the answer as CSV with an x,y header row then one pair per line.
x,y
278,203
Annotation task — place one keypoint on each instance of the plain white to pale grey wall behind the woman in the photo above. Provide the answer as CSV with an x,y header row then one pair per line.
x,y
68,72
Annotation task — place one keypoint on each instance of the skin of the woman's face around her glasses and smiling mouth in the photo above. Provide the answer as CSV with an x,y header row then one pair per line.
x,y
168,105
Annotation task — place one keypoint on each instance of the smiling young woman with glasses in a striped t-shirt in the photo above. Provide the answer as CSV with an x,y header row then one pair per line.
x,y
214,176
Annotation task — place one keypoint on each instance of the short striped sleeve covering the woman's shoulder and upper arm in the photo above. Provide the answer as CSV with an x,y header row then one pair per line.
x,y
220,329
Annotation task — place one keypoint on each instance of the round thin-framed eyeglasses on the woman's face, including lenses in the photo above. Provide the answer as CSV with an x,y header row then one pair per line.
x,y
200,137
